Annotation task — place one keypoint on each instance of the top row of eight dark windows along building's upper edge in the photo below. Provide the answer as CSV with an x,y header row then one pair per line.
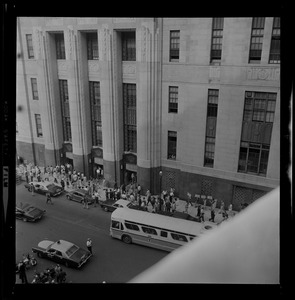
x,y
129,43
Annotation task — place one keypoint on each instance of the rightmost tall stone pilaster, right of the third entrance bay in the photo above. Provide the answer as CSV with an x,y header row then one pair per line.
x,y
149,104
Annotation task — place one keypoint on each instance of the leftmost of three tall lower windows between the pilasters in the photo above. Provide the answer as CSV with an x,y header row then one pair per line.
x,y
65,105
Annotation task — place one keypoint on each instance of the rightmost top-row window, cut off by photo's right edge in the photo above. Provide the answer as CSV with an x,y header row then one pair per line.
x,y
274,55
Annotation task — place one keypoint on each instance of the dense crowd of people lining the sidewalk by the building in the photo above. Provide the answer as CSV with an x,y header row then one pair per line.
x,y
166,202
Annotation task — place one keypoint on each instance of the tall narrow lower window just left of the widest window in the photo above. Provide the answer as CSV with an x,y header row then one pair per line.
x,y
211,128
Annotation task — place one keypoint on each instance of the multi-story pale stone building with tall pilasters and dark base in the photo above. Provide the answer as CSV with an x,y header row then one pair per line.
x,y
192,103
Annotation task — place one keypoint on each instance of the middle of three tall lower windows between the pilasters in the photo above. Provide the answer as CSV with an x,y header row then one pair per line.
x,y
95,106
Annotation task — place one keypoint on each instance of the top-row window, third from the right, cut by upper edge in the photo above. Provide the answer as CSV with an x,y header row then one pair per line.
x,y
216,43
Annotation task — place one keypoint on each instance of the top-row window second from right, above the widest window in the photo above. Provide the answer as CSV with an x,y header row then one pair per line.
x,y
256,40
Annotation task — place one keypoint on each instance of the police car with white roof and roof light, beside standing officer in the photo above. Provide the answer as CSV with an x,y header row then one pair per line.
x,y
63,252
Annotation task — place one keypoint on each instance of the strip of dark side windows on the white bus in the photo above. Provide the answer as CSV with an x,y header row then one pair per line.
x,y
150,230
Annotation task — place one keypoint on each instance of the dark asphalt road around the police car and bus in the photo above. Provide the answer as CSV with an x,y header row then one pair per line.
x,y
112,261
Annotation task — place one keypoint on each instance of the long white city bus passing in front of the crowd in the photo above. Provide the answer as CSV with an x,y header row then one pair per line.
x,y
154,230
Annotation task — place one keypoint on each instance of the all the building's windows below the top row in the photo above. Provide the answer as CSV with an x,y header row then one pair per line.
x,y
259,111
